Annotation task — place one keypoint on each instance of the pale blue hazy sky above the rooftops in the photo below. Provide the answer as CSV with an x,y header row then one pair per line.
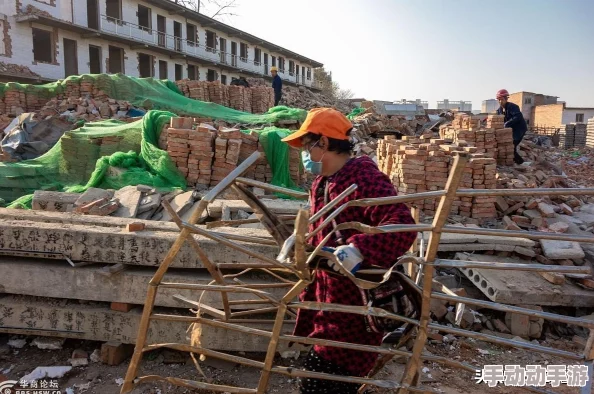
x,y
436,49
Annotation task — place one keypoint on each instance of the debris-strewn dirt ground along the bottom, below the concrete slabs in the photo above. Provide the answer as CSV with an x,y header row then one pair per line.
x,y
101,379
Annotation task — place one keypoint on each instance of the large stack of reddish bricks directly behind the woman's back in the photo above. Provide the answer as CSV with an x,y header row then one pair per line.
x,y
417,165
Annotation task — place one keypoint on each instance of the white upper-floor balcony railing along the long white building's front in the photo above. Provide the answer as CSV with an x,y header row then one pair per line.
x,y
178,44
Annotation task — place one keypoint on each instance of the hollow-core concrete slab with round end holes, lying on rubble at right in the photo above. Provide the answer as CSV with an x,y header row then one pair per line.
x,y
520,287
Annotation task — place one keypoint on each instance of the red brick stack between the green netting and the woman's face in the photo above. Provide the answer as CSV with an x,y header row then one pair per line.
x,y
206,155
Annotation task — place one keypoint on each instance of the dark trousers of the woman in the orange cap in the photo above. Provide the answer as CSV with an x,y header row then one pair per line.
x,y
313,362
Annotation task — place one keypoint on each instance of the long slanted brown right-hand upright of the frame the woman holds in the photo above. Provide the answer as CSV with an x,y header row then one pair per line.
x,y
440,219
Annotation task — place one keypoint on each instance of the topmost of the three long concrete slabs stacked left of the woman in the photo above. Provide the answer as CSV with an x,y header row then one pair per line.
x,y
94,243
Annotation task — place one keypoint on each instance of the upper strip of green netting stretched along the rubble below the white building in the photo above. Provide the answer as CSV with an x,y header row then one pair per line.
x,y
149,93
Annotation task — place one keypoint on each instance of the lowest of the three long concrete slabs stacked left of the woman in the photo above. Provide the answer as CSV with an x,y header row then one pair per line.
x,y
96,322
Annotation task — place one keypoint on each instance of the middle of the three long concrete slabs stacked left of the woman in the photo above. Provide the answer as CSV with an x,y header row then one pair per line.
x,y
58,279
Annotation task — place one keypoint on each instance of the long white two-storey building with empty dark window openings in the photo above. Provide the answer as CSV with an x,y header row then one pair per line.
x,y
149,38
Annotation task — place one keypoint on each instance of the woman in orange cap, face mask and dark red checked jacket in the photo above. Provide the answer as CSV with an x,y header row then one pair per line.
x,y
327,154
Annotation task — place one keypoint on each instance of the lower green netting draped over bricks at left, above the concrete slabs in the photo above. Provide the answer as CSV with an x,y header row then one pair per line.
x,y
110,154
